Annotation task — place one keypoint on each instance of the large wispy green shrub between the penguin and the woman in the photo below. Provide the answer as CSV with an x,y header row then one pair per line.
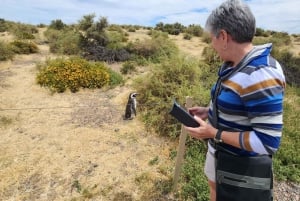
x,y
175,78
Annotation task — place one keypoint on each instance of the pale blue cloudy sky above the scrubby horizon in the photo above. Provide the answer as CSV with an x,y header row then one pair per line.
x,y
276,15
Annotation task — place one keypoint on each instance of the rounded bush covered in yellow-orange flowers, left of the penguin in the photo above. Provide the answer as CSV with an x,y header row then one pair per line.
x,y
74,73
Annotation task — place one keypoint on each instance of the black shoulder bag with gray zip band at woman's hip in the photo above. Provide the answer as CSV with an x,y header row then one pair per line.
x,y
243,178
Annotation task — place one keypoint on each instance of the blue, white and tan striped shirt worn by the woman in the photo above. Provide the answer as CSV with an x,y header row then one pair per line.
x,y
251,102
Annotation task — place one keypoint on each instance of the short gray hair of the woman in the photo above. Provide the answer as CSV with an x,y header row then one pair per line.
x,y
235,18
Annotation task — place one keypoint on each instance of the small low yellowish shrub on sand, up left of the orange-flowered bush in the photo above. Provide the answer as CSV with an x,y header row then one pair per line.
x,y
24,47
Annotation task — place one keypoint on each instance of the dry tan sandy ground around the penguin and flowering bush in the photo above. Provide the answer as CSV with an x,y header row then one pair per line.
x,y
70,146
